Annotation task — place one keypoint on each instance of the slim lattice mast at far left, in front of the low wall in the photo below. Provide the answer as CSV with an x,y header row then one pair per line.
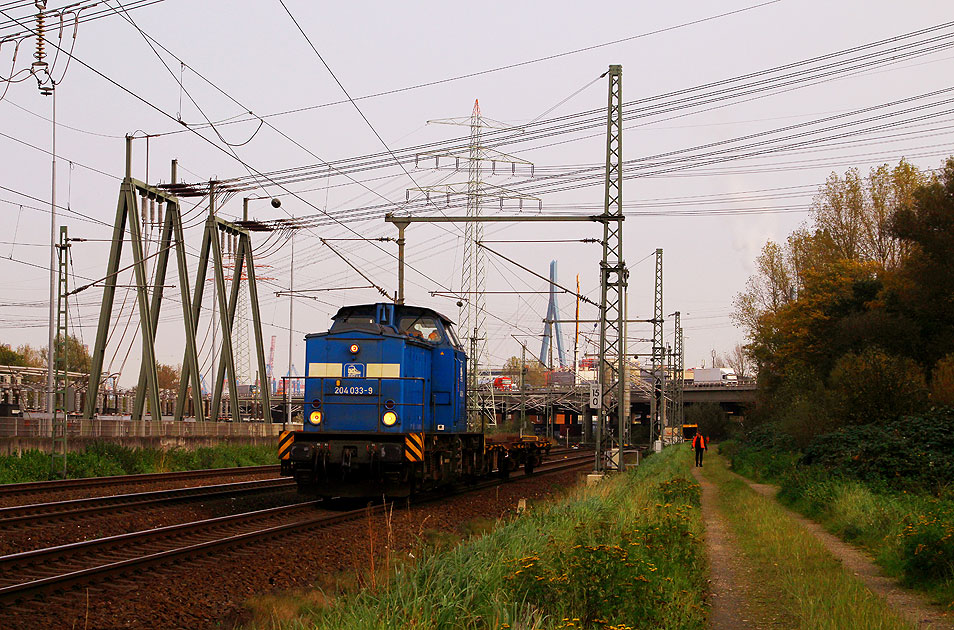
x,y
60,411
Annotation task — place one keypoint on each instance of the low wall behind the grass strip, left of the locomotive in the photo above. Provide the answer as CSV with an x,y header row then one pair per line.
x,y
124,427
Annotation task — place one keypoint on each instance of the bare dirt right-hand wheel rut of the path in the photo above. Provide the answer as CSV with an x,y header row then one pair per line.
x,y
912,606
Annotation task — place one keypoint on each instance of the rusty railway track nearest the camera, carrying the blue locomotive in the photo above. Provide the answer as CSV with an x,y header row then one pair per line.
x,y
29,574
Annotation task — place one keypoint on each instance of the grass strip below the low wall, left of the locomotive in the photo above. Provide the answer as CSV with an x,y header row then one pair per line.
x,y
103,459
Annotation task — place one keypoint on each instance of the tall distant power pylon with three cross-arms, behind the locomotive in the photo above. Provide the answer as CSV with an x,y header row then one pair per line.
x,y
473,266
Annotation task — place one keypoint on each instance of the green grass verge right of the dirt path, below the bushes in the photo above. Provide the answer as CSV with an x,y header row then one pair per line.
x,y
910,535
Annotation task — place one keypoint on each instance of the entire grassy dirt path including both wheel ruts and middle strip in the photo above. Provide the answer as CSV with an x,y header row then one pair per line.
x,y
784,574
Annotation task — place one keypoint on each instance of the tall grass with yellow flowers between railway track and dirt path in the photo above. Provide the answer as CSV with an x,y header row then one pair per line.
x,y
623,554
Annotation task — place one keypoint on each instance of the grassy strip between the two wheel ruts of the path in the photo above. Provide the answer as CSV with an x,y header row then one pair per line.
x,y
809,587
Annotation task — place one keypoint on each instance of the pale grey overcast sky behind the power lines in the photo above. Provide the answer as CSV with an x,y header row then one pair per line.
x,y
711,219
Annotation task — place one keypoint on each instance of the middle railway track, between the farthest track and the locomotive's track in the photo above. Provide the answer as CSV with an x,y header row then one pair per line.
x,y
28,515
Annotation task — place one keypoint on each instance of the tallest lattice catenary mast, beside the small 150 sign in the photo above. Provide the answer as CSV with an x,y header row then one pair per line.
x,y
613,279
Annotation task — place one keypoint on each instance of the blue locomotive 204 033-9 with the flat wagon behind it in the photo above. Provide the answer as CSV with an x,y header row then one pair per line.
x,y
385,409
